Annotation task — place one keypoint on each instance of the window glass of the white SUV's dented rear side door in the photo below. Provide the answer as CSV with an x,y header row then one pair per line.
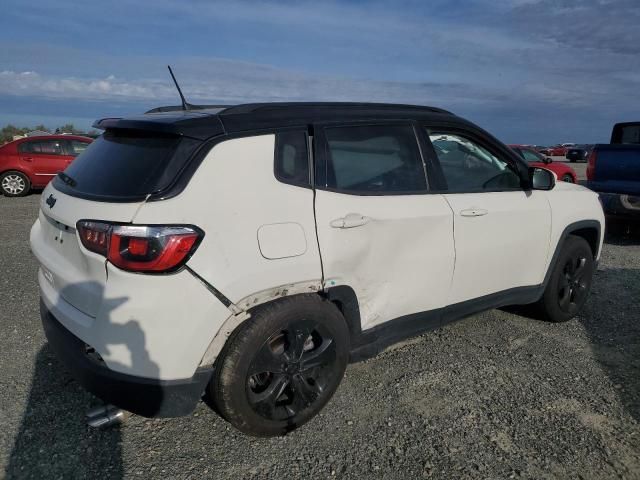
x,y
374,159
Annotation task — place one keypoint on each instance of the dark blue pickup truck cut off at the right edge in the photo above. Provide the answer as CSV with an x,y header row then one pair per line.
x,y
614,172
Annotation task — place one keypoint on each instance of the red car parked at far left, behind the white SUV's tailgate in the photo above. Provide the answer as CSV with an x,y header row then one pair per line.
x,y
32,162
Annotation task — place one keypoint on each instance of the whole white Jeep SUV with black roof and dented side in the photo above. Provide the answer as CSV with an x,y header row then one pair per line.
x,y
251,252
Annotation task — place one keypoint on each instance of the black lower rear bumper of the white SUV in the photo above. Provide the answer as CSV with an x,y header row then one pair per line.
x,y
143,396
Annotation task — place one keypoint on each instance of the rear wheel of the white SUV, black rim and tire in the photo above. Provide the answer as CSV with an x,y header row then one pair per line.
x,y
258,385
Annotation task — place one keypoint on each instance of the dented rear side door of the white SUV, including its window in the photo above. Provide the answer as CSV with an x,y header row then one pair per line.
x,y
380,230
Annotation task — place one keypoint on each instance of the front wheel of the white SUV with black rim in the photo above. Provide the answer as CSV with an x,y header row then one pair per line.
x,y
570,281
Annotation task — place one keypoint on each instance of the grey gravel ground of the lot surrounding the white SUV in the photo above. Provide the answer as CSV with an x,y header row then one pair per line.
x,y
496,395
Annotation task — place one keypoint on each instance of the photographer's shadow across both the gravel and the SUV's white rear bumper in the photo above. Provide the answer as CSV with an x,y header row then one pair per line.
x,y
54,440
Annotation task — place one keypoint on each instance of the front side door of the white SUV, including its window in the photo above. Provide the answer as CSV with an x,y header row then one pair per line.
x,y
501,231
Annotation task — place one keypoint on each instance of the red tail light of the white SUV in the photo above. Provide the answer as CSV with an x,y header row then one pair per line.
x,y
140,248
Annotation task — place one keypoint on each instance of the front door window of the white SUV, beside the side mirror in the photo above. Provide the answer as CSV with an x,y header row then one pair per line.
x,y
469,167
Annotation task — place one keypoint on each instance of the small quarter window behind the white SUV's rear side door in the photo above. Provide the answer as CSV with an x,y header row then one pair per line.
x,y
291,158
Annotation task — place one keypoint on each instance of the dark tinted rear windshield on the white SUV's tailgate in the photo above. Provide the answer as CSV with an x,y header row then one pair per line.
x,y
126,165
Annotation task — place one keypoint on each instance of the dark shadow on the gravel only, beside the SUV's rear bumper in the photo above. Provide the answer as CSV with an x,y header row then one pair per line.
x,y
53,440
